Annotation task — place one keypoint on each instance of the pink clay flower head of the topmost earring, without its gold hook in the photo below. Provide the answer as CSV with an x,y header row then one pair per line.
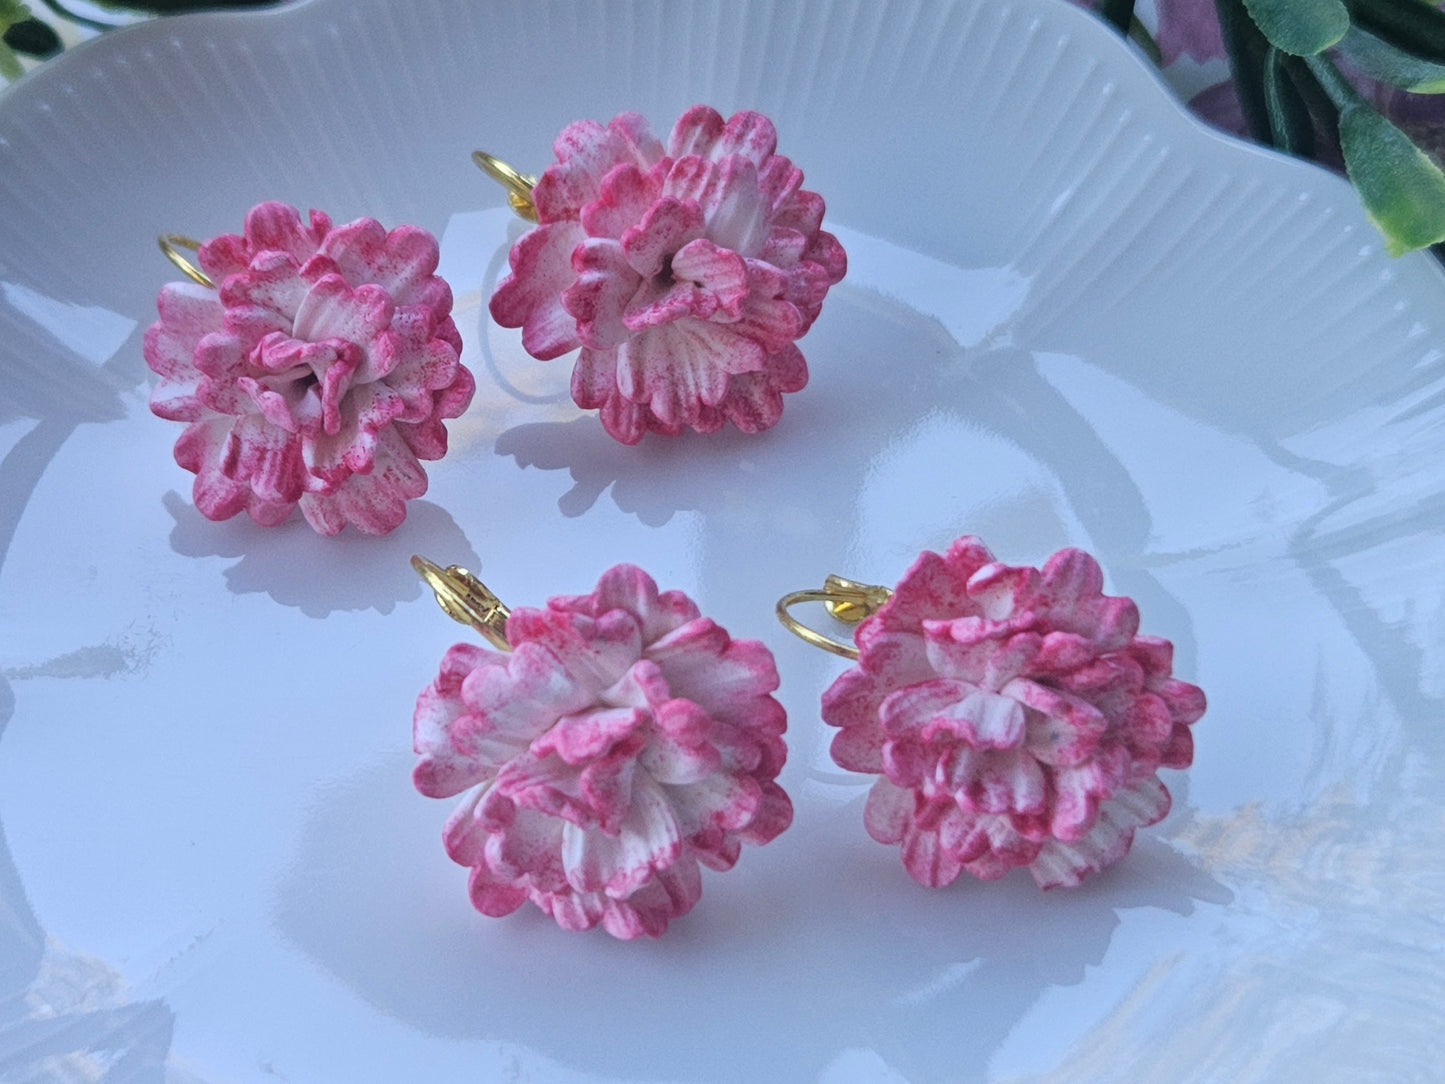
x,y
684,271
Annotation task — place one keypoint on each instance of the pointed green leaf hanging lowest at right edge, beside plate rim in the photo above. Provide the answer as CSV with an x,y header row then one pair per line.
x,y
1404,193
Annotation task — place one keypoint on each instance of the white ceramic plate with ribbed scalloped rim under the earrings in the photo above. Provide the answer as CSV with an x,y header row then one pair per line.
x,y
1073,317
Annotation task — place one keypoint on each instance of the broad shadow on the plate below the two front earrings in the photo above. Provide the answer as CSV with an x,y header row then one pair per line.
x,y
817,943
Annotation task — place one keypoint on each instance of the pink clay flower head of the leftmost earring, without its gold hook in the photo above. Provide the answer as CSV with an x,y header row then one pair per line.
x,y
313,366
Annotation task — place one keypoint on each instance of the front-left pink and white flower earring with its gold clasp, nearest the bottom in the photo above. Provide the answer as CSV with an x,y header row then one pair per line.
x,y
624,742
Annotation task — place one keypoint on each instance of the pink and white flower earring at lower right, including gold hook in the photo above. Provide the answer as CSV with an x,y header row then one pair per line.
x,y
1014,716
